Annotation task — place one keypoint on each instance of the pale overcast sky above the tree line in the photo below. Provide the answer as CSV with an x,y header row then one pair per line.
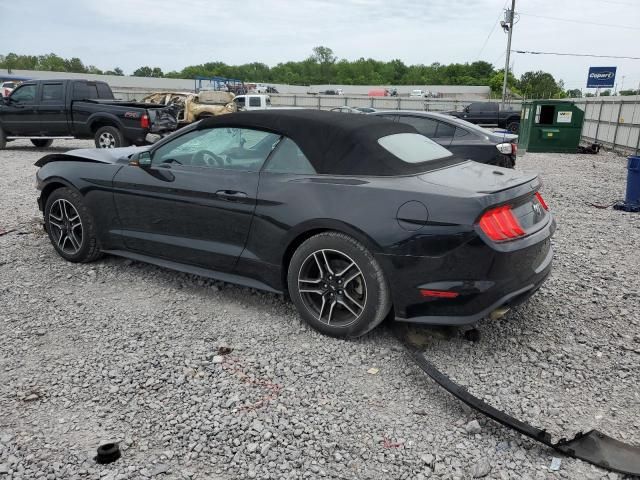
x,y
172,34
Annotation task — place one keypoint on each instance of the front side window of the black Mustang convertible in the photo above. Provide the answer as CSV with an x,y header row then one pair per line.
x,y
227,148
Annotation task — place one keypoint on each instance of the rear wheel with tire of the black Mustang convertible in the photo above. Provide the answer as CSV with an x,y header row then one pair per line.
x,y
368,288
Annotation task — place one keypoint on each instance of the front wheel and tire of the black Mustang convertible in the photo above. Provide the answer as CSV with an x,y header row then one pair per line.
x,y
73,243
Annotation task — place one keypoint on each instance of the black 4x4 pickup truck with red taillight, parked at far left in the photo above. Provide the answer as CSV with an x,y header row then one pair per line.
x,y
45,110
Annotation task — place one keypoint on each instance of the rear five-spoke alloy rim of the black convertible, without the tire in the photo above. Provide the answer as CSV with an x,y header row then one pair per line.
x,y
332,287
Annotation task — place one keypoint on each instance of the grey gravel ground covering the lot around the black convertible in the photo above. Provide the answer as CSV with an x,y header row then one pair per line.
x,y
126,352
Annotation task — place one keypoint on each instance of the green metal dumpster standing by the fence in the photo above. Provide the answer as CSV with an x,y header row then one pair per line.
x,y
550,126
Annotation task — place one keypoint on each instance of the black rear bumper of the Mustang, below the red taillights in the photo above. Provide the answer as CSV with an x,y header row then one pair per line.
x,y
485,279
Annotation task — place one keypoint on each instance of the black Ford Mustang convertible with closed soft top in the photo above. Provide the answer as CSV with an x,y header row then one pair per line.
x,y
355,217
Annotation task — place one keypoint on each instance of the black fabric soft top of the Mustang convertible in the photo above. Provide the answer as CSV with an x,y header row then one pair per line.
x,y
335,143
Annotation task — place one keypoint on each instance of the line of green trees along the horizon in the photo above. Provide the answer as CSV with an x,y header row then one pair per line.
x,y
323,67
